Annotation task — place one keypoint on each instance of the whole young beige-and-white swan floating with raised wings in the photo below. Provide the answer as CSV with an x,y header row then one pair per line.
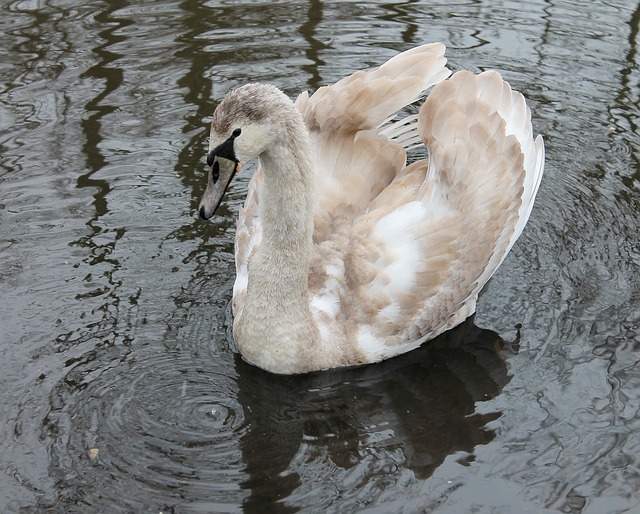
x,y
347,255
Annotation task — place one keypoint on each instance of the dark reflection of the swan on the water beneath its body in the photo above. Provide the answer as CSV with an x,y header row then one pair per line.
x,y
405,413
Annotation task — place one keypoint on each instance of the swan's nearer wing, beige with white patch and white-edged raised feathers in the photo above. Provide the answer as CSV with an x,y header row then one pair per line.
x,y
416,259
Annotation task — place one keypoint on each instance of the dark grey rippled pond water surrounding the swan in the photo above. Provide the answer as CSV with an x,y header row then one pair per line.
x,y
119,388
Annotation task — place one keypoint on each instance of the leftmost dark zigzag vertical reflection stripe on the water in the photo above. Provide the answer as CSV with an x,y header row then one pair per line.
x,y
101,262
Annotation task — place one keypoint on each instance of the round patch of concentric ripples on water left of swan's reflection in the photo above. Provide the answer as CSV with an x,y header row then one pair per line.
x,y
156,427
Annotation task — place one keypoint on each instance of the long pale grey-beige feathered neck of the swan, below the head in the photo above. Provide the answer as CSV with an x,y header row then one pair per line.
x,y
276,326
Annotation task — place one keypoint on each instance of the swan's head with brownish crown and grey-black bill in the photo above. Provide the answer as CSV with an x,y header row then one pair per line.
x,y
242,129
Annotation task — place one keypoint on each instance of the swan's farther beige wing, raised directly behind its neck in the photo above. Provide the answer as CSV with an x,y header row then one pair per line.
x,y
337,115
